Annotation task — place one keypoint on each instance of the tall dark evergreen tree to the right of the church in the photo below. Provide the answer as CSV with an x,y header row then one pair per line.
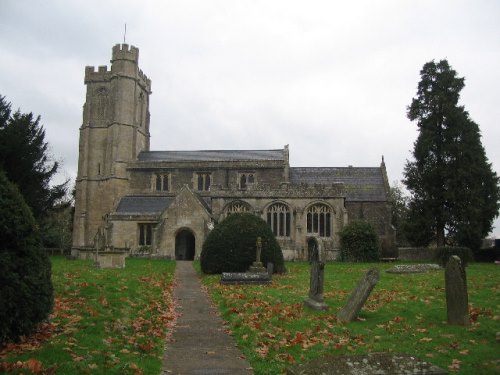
x,y
454,191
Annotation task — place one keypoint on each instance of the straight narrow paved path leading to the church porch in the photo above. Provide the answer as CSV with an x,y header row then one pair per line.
x,y
200,345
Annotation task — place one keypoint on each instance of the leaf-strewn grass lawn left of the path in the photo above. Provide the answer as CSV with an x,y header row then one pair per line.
x,y
105,321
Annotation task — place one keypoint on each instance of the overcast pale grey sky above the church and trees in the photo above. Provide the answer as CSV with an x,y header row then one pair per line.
x,y
330,78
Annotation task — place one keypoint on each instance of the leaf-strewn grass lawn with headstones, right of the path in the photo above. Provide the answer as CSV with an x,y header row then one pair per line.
x,y
406,313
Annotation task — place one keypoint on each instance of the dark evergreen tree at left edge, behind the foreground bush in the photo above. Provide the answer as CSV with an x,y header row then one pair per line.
x,y
25,158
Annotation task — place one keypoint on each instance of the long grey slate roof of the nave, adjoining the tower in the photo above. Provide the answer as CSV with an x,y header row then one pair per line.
x,y
211,155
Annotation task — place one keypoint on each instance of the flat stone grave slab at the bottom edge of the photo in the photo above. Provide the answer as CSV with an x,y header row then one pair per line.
x,y
370,364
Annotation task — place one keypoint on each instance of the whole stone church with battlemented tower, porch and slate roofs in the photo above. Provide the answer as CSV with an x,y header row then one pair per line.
x,y
132,199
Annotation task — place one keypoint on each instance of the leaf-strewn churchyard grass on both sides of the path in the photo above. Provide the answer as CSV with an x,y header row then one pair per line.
x,y
114,320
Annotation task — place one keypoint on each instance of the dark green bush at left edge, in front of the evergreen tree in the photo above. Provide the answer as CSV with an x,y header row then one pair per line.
x,y
26,294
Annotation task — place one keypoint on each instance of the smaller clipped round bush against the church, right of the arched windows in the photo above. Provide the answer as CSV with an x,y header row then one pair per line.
x,y
359,243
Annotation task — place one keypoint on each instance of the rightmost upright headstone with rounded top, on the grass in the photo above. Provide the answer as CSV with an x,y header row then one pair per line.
x,y
457,300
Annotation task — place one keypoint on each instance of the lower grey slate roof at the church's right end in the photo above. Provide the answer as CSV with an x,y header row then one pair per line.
x,y
361,184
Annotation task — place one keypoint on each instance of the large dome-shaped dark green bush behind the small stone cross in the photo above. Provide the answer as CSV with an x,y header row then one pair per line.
x,y
231,246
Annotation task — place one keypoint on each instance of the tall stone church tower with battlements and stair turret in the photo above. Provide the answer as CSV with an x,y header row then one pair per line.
x,y
115,129
